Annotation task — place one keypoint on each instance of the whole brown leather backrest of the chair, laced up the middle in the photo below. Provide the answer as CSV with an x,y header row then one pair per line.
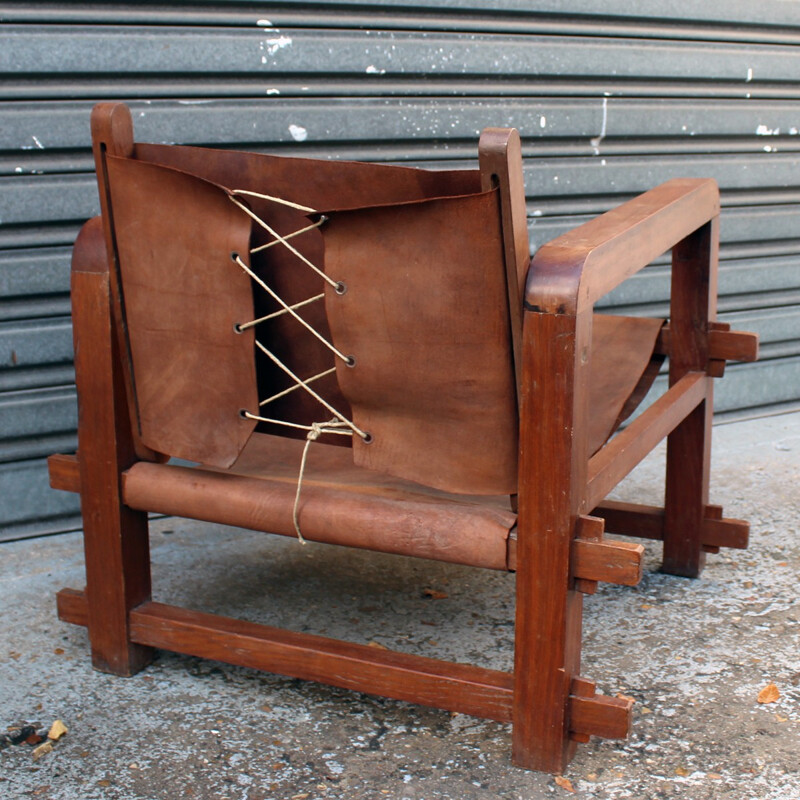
x,y
425,312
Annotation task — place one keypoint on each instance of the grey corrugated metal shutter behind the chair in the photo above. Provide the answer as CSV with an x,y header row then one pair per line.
x,y
610,97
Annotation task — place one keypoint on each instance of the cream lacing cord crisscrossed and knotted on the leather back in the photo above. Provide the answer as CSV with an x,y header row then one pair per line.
x,y
338,424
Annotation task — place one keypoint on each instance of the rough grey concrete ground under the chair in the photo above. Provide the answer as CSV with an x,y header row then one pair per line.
x,y
694,654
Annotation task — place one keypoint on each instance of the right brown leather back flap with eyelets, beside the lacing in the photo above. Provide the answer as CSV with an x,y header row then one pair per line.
x,y
425,316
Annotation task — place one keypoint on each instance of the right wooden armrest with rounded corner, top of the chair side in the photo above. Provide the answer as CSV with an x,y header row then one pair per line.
x,y
570,273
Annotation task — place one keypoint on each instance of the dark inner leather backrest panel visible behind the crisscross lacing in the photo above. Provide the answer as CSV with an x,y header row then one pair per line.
x,y
316,184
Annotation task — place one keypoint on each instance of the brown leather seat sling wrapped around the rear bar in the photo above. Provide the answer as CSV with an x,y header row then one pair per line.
x,y
339,503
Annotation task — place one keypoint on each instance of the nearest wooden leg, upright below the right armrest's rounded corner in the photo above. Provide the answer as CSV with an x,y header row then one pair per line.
x,y
553,462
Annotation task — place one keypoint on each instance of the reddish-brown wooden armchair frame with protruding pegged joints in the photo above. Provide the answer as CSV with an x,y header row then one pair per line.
x,y
557,548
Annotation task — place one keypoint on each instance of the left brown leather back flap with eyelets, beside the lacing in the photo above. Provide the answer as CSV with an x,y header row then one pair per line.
x,y
182,294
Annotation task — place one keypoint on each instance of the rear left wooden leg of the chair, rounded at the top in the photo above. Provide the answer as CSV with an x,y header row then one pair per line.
x,y
115,537
